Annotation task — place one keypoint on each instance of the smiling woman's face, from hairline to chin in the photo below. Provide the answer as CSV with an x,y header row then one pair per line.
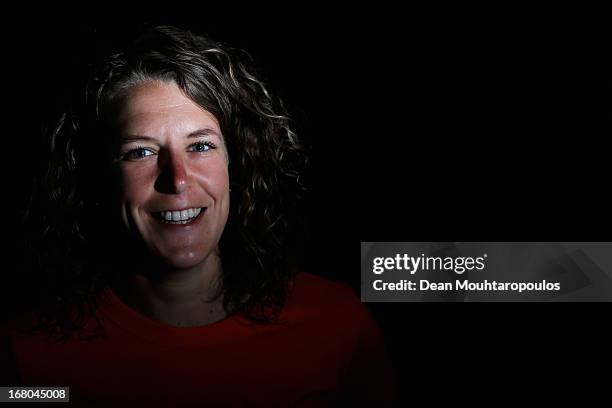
x,y
173,171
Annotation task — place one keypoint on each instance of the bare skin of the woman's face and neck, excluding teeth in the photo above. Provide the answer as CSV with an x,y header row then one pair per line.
x,y
171,156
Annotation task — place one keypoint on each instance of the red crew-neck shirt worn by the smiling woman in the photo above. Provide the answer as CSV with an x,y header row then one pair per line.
x,y
325,347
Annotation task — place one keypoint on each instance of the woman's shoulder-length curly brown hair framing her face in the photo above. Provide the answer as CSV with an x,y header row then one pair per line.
x,y
70,211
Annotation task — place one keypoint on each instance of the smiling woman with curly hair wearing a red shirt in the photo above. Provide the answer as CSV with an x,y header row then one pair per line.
x,y
166,208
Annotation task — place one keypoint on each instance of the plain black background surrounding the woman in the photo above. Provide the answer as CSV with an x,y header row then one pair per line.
x,y
425,125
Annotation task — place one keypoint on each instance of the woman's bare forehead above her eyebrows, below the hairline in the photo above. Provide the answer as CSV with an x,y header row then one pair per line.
x,y
152,105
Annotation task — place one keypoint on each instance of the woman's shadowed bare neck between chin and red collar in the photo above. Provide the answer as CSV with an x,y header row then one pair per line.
x,y
177,297
